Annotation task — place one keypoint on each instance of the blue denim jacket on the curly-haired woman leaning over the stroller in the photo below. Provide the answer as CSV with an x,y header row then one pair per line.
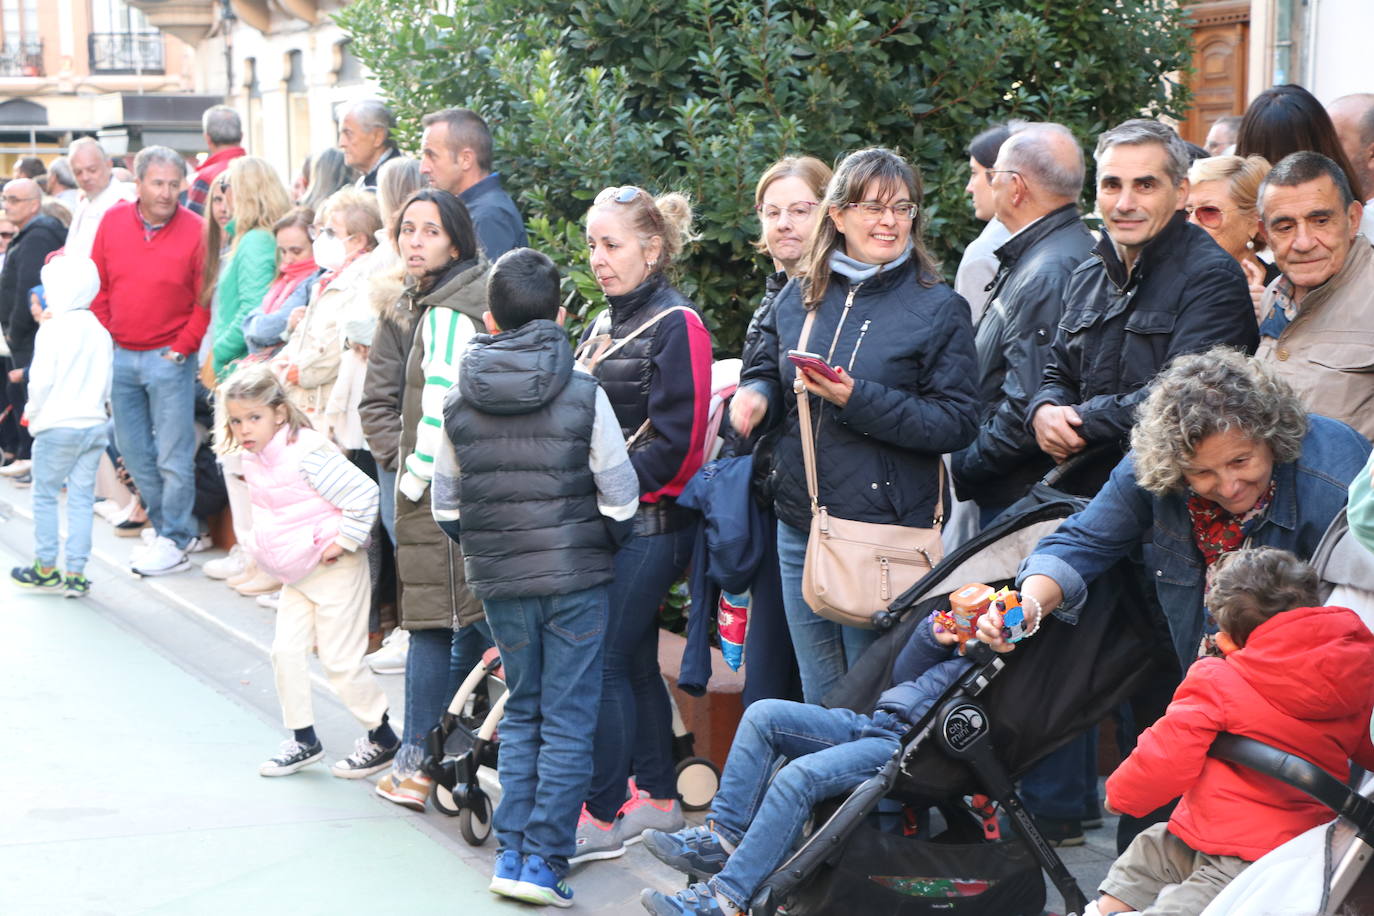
x,y
1310,492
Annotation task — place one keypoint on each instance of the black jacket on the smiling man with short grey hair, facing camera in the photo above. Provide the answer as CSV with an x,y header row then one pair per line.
x,y
1184,295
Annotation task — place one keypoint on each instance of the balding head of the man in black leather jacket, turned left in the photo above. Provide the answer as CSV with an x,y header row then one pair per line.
x,y
1039,170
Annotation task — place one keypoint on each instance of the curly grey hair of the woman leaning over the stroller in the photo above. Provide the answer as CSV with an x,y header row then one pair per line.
x,y
1202,395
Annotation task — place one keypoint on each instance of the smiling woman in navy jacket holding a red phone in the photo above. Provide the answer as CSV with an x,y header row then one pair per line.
x,y
902,345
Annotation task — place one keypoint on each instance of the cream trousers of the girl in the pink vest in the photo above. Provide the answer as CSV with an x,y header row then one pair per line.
x,y
328,609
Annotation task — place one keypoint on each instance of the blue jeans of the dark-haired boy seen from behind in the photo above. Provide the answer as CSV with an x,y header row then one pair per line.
x,y
552,649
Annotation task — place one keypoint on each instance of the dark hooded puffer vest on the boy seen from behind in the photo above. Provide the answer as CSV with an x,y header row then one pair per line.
x,y
521,424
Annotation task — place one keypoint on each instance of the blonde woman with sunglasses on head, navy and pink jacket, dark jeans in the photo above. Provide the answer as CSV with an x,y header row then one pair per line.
x,y
652,354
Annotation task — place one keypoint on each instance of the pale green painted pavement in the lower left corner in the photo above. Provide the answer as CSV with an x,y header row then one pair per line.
x,y
133,788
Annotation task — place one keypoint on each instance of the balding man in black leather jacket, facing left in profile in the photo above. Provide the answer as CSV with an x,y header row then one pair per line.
x,y
1035,182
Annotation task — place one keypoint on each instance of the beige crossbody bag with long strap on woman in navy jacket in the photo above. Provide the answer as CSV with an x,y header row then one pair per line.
x,y
855,569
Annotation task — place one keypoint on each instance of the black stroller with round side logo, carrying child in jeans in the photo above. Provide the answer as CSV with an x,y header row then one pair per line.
x,y
998,719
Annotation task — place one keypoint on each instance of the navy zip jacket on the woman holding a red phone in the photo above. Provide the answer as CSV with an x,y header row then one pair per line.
x,y
910,352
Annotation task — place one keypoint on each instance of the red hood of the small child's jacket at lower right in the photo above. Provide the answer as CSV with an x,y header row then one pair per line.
x,y
1311,663
